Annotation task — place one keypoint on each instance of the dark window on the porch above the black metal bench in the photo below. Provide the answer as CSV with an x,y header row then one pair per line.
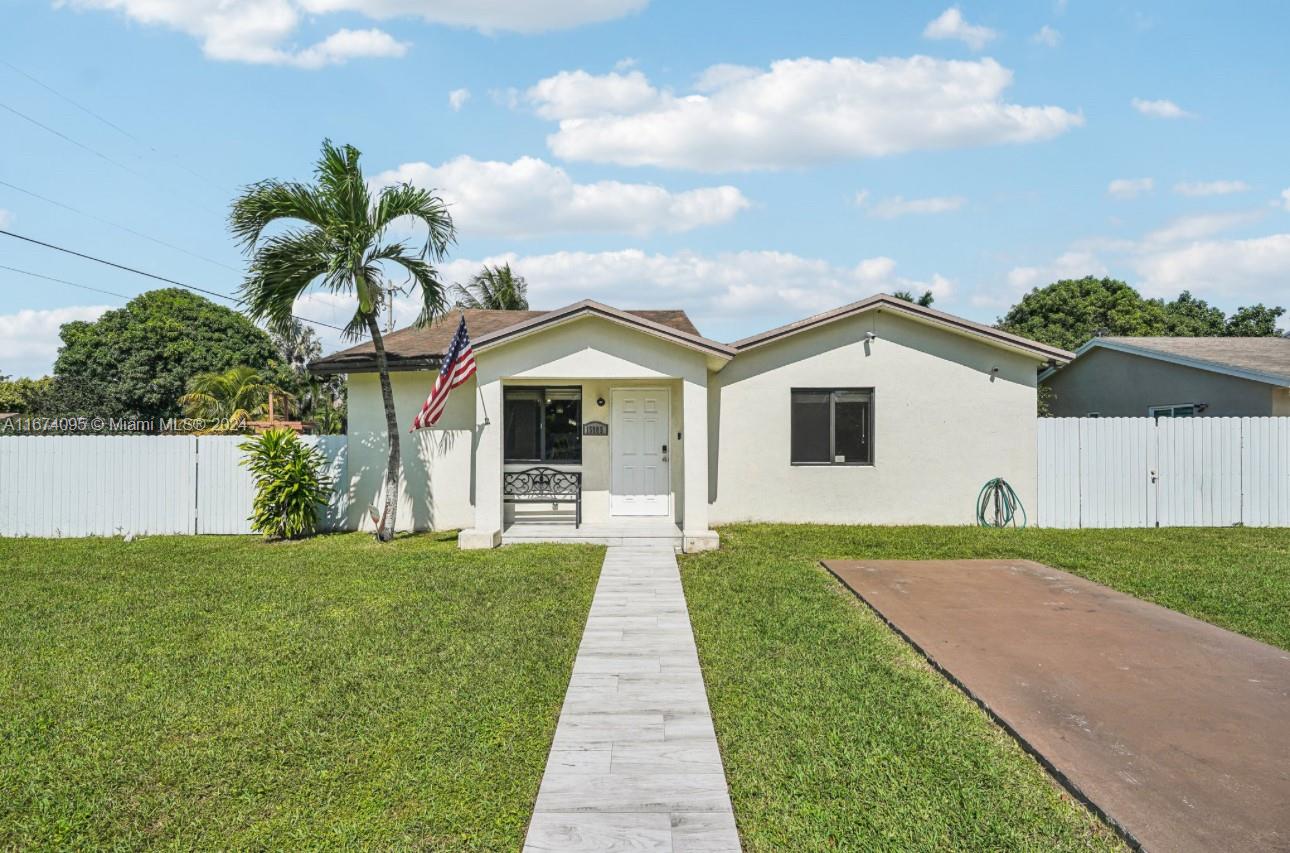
x,y
542,425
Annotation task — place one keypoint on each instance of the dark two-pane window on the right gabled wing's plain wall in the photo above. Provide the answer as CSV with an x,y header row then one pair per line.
x,y
833,426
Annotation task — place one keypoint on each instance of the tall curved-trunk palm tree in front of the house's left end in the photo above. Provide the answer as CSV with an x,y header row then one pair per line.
x,y
339,243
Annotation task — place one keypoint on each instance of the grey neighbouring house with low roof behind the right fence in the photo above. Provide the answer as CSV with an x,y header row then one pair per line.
x,y
1173,377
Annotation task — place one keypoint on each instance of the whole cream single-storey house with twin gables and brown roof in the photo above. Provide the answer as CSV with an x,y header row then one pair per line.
x,y
880,412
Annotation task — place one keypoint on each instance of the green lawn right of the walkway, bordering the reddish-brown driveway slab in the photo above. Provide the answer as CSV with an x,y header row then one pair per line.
x,y
838,736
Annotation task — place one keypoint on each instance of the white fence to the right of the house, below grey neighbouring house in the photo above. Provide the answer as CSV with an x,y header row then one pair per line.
x,y
1136,473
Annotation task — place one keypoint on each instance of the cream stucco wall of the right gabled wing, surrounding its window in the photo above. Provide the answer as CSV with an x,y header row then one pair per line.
x,y
944,426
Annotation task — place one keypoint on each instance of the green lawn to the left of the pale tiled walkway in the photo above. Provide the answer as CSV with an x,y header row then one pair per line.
x,y
228,694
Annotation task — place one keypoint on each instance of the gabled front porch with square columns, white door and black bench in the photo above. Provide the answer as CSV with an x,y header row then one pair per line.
x,y
611,419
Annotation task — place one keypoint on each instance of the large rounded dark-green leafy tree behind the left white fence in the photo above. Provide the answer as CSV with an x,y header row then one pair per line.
x,y
139,361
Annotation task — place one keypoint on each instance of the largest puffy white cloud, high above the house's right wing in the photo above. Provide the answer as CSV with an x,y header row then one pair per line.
x,y
798,113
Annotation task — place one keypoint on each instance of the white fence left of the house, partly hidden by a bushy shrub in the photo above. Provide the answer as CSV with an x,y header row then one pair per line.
x,y
112,486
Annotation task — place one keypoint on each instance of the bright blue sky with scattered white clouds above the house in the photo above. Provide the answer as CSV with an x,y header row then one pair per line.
x,y
749,162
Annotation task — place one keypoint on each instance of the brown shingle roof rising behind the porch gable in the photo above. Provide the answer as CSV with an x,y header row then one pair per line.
x,y
421,348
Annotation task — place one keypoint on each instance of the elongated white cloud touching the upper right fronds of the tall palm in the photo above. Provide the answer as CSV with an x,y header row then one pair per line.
x,y
532,197
